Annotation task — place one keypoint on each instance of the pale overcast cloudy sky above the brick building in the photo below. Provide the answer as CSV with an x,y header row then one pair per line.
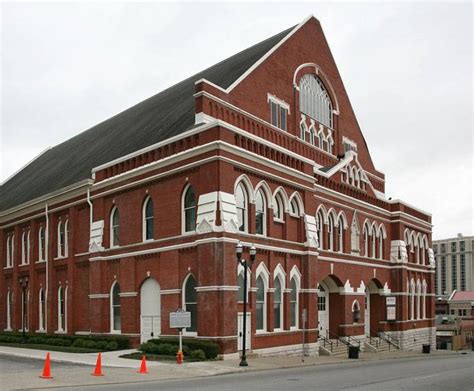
x,y
406,66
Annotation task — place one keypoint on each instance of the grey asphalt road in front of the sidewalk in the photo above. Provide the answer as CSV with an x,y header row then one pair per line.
x,y
430,373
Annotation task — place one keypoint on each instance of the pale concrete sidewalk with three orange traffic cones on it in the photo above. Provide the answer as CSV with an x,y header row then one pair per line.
x,y
118,370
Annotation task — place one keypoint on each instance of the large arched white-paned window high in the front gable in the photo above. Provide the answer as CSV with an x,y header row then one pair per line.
x,y
314,100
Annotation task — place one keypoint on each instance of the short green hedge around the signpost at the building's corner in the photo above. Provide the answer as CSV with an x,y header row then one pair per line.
x,y
169,346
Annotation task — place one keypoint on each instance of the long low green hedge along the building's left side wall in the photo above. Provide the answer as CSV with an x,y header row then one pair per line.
x,y
98,343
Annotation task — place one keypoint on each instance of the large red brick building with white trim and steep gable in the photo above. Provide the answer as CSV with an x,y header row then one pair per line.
x,y
141,214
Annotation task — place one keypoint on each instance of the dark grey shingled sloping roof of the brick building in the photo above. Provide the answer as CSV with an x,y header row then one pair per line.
x,y
162,116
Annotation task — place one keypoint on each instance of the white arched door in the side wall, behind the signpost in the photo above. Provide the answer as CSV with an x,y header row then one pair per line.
x,y
150,310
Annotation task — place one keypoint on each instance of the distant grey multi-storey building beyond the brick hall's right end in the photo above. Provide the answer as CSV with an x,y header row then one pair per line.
x,y
454,265
